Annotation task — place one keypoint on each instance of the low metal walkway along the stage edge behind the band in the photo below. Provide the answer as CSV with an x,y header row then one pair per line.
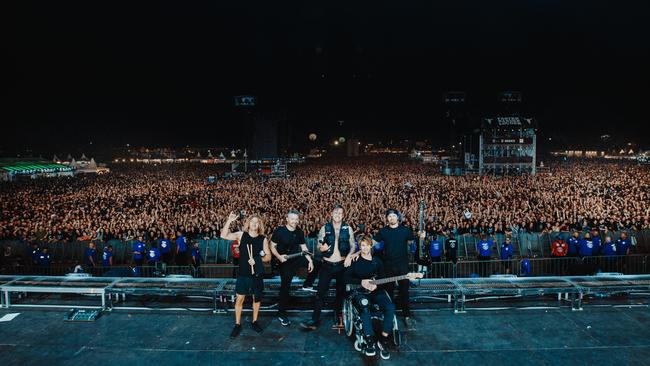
x,y
110,291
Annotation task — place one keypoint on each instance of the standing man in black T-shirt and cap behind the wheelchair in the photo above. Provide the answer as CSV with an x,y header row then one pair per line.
x,y
396,240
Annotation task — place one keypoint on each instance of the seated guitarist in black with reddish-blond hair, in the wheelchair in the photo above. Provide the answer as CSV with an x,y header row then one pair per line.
x,y
363,269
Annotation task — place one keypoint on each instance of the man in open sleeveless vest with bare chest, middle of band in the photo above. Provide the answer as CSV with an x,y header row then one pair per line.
x,y
336,244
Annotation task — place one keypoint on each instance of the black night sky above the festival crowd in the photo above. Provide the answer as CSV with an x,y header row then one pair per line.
x,y
164,72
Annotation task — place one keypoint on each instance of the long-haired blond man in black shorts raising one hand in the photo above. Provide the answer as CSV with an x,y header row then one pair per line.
x,y
253,249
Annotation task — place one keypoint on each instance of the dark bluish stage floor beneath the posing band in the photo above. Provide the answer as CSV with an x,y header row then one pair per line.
x,y
595,336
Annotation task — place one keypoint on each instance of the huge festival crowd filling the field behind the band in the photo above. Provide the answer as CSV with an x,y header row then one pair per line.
x,y
164,200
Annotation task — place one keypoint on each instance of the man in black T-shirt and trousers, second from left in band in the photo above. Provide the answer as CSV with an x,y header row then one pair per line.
x,y
286,240
